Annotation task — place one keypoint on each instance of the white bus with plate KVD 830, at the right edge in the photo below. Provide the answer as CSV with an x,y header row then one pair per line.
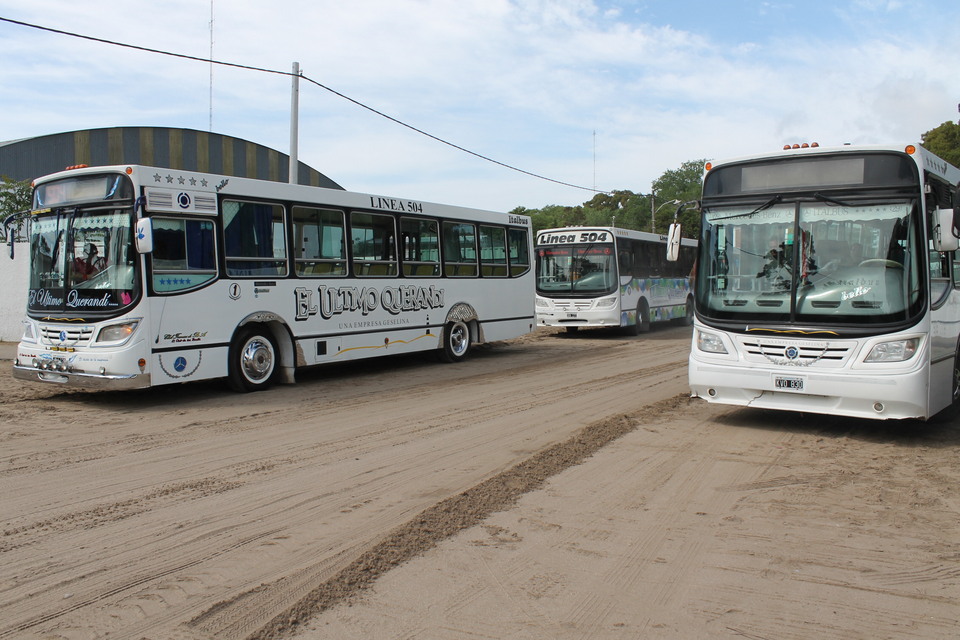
x,y
828,281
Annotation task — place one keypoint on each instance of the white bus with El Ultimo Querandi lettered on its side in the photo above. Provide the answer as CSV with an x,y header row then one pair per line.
x,y
143,276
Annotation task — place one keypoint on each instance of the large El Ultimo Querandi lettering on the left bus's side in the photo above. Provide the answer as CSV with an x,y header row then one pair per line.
x,y
334,301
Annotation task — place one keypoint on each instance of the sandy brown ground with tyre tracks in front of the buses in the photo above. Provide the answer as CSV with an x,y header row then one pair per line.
x,y
550,487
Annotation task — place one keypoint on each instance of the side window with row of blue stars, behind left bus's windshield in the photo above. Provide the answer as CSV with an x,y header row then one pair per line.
x,y
185,248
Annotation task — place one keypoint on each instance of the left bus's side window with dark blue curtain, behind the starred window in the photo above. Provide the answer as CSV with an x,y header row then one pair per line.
x,y
253,238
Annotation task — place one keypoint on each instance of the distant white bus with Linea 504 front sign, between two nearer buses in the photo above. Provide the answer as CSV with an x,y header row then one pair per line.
x,y
610,277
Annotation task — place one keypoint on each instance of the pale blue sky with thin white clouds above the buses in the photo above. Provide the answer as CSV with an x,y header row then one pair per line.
x,y
529,102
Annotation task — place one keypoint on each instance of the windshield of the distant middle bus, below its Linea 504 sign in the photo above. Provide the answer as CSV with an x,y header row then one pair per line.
x,y
577,269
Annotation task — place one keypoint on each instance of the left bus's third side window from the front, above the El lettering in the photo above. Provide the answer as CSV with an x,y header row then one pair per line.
x,y
318,242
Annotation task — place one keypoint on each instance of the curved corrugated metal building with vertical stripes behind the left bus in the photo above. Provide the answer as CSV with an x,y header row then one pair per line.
x,y
185,149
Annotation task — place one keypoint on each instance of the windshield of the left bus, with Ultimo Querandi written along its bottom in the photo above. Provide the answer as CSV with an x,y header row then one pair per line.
x,y
82,257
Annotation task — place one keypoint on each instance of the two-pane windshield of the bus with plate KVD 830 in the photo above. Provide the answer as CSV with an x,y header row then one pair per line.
x,y
818,262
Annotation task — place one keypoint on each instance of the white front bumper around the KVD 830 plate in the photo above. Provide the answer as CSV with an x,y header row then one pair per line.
x,y
901,396
